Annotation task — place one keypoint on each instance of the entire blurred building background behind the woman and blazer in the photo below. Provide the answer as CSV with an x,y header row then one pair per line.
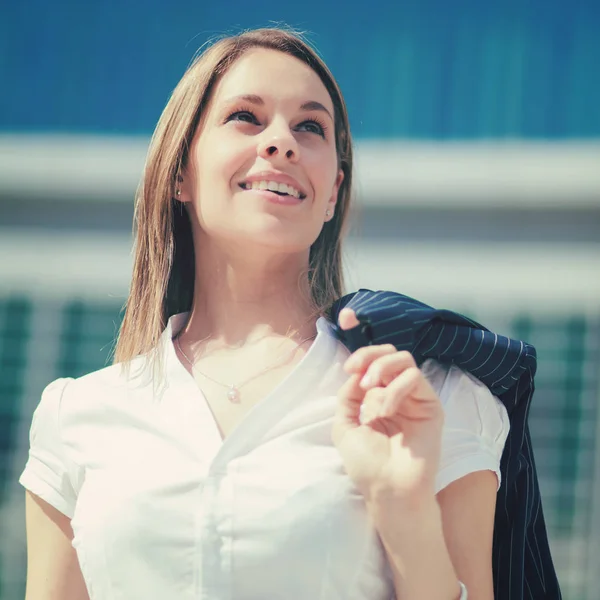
x,y
477,129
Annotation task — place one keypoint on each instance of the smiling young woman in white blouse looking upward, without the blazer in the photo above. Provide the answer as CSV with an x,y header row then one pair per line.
x,y
237,449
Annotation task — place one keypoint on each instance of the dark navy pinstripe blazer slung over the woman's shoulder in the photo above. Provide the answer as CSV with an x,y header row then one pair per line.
x,y
522,563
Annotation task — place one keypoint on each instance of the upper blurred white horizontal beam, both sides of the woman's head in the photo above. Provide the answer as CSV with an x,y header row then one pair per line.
x,y
454,174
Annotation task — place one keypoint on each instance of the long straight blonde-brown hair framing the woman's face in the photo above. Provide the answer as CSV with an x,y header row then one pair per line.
x,y
163,270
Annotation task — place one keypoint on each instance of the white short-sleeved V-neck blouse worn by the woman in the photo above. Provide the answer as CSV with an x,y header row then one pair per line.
x,y
163,508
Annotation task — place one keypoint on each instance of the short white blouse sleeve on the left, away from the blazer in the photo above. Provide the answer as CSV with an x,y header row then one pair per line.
x,y
47,472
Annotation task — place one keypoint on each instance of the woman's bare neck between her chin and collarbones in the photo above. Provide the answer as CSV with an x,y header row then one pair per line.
x,y
241,299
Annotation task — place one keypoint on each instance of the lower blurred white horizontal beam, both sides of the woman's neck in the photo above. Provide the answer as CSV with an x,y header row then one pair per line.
x,y
490,278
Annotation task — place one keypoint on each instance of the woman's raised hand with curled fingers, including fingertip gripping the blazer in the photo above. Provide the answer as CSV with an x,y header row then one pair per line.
x,y
388,423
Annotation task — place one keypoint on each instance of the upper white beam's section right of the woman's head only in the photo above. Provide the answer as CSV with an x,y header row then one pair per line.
x,y
480,174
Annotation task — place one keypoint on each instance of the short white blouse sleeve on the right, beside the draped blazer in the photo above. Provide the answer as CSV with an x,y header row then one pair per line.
x,y
476,424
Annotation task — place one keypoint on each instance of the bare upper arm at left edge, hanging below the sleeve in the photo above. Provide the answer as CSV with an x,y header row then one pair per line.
x,y
53,571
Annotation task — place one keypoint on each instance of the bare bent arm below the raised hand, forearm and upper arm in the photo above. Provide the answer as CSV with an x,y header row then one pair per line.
x,y
431,545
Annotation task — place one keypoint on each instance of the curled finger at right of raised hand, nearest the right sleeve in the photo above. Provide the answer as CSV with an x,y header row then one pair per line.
x,y
411,395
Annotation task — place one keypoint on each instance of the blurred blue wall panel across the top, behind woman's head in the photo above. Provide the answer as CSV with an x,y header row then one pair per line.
x,y
433,69
